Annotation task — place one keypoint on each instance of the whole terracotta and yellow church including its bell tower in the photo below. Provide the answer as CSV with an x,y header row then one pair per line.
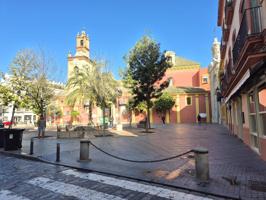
x,y
189,86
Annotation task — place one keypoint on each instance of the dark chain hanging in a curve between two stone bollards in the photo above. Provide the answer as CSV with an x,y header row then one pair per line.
x,y
140,161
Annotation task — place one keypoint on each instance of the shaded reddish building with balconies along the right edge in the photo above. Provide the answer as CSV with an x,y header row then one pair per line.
x,y
243,70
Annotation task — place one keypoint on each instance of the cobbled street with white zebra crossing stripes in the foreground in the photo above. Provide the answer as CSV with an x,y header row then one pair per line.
x,y
25,179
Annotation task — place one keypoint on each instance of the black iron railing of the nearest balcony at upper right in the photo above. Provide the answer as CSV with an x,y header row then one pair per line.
x,y
250,26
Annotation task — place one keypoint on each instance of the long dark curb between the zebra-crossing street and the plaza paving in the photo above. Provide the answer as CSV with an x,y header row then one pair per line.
x,y
39,159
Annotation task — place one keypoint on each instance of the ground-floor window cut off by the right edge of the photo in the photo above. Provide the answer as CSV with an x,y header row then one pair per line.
x,y
262,108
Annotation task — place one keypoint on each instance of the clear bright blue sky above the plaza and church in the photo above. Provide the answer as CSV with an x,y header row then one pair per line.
x,y
114,26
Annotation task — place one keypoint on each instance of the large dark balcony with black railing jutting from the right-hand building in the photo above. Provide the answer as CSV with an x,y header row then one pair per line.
x,y
249,48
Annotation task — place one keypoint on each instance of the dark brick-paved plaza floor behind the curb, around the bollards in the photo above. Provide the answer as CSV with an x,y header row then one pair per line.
x,y
228,157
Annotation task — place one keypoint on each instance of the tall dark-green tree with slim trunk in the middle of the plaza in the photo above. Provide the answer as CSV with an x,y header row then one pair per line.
x,y
146,68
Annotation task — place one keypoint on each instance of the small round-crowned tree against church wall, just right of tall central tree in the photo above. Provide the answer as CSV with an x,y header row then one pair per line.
x,y
164,104
